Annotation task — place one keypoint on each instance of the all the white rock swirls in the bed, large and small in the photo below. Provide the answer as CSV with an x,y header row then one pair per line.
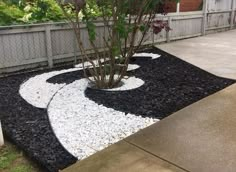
x,y
81,125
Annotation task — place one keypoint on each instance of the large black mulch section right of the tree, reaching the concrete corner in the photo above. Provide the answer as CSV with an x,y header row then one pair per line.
x,y
170,85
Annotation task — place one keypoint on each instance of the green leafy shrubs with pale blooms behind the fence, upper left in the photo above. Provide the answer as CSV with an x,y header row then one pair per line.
x,y
37,11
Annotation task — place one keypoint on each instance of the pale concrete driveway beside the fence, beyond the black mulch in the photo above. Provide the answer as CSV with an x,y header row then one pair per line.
x,y
215,53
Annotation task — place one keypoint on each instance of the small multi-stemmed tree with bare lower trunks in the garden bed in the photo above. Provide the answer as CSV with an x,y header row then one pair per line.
x,y
126,23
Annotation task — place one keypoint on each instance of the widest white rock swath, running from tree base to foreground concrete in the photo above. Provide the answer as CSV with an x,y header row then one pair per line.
x,y
84,127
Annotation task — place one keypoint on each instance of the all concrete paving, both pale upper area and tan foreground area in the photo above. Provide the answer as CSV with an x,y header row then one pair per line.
x,y
198,138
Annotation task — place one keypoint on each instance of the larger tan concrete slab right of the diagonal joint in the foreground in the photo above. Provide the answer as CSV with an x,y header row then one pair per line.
x,y
198,138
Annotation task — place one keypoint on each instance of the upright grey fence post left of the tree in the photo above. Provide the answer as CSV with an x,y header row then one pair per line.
x,y
49,46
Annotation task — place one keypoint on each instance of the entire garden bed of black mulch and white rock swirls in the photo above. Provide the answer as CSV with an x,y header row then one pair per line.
x,y
55,117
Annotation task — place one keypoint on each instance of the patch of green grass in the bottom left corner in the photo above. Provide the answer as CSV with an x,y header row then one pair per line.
x,y
13,160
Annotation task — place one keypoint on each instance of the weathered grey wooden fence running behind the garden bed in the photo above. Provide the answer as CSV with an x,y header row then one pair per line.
x,y
31,46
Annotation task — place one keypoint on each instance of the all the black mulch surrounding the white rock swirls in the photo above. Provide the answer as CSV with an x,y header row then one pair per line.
x,y
170,84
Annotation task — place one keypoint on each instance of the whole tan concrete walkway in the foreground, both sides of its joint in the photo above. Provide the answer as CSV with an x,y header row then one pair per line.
x,y
198,138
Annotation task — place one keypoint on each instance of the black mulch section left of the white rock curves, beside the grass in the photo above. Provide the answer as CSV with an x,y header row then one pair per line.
x,y
28,127
